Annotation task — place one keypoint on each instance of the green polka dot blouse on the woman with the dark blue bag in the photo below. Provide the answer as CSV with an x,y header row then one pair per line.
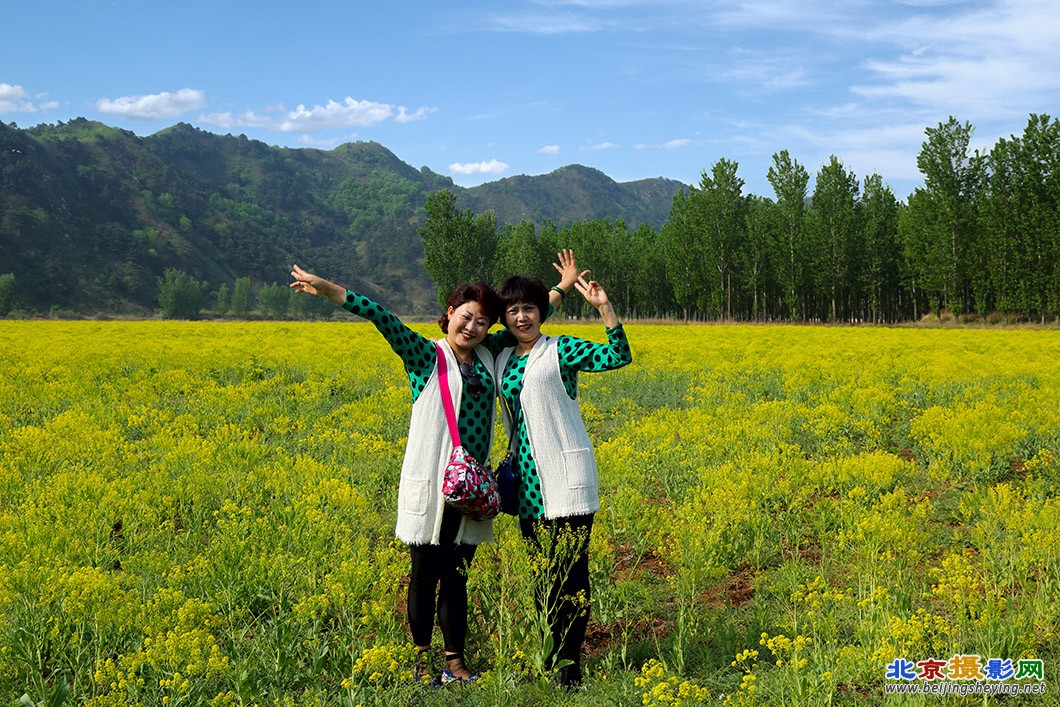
x,y
575,356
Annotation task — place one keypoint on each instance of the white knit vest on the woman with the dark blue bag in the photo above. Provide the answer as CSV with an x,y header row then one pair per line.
x,y
559,443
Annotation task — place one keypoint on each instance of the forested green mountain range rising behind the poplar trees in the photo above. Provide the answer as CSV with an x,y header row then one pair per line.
x,y
92,217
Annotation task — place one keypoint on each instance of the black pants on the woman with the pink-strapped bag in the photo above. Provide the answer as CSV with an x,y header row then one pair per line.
x,y
440,571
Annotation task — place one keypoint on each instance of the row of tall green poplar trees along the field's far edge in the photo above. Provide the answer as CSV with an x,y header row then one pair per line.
x,y
982,237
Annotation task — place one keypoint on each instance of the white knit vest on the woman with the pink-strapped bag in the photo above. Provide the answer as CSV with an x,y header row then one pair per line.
x,y
420,502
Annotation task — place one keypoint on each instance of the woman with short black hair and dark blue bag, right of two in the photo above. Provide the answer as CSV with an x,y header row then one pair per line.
x,y
559,489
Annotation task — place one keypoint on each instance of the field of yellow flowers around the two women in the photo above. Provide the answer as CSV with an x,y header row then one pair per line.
x,y
203,515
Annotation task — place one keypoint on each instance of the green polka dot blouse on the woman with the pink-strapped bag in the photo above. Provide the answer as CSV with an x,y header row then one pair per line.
x,y
420,358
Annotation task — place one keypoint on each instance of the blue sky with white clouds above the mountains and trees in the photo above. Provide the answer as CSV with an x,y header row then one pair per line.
x,y
484,91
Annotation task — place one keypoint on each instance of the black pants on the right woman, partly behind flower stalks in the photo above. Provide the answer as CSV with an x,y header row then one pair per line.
x,y
566,544
